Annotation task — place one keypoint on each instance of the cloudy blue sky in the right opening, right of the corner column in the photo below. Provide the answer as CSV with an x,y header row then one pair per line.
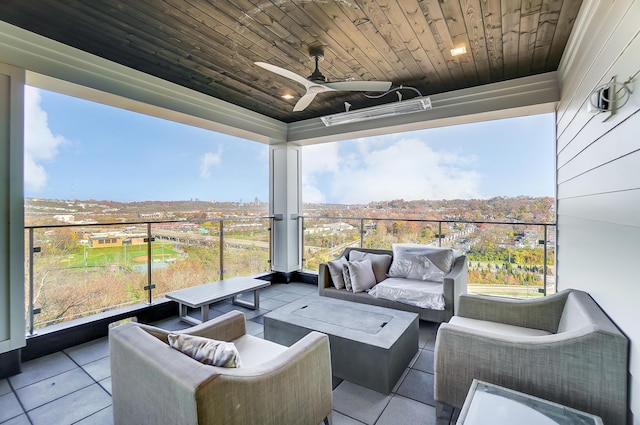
x,y
509,157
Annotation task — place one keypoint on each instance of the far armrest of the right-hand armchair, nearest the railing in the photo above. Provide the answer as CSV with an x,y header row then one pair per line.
x,y
541,313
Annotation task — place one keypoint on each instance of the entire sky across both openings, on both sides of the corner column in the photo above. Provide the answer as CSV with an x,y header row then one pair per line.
x,y
76,149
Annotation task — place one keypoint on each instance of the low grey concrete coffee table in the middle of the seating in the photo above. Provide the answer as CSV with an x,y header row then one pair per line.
x,y
370,346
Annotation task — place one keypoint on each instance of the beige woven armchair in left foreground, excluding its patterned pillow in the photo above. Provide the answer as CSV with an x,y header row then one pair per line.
x,y
153,383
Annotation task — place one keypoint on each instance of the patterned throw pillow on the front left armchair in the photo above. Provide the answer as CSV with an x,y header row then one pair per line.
x,y
207,351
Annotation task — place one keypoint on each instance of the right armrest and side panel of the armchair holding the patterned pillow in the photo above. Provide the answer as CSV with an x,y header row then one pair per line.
x,y
294,387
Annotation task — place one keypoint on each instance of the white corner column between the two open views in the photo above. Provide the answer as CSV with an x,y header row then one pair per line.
x,y
286,205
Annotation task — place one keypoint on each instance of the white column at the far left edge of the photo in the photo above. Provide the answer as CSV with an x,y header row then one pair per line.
x,y
12,322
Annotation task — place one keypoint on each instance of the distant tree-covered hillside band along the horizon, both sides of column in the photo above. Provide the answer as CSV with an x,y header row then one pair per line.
x,y
40,211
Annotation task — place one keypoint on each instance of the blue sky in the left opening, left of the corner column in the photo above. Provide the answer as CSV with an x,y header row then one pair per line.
x,y
85,150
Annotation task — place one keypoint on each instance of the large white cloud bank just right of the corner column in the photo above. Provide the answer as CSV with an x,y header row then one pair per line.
x,y
384,169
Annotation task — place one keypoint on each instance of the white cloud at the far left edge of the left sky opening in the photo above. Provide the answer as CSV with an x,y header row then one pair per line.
x,y
40,144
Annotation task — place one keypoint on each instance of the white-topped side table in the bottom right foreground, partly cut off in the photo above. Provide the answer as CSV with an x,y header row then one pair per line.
x,y
491,404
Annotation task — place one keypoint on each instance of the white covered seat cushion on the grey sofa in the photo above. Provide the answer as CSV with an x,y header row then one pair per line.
x,y
424,294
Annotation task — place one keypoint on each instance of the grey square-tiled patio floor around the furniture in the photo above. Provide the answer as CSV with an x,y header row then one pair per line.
x,y
74,386
